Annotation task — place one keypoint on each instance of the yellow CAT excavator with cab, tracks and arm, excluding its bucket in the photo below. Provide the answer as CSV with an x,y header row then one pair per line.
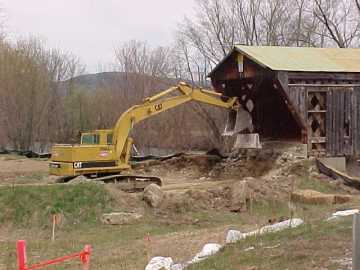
x,y
104,155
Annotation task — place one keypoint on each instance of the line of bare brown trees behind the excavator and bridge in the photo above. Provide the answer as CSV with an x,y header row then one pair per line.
x,y
41,103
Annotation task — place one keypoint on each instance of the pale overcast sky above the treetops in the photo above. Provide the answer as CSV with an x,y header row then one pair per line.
x,y
92,28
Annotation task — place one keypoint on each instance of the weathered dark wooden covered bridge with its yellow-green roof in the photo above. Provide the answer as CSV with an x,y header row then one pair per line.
x,y
310,95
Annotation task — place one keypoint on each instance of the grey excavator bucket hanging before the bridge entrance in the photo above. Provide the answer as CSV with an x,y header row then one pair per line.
x,y
239,124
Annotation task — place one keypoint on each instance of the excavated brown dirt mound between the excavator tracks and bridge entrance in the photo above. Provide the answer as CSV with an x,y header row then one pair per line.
x,y
260,175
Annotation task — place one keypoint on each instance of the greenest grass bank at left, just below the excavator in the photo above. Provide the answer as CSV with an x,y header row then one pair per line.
x,y
24,206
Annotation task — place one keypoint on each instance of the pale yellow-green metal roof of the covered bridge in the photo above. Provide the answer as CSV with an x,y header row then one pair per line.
x,y
303,59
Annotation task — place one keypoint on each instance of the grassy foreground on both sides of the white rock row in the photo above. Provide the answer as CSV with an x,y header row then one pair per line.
x,y
179,236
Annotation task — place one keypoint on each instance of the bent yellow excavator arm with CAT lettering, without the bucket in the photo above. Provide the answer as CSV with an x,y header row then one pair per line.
x,y
160,103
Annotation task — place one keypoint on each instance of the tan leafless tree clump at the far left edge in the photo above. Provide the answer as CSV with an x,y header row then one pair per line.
x,y
31,103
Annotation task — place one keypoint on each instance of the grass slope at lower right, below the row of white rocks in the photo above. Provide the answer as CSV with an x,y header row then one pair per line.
x,y
305,247
